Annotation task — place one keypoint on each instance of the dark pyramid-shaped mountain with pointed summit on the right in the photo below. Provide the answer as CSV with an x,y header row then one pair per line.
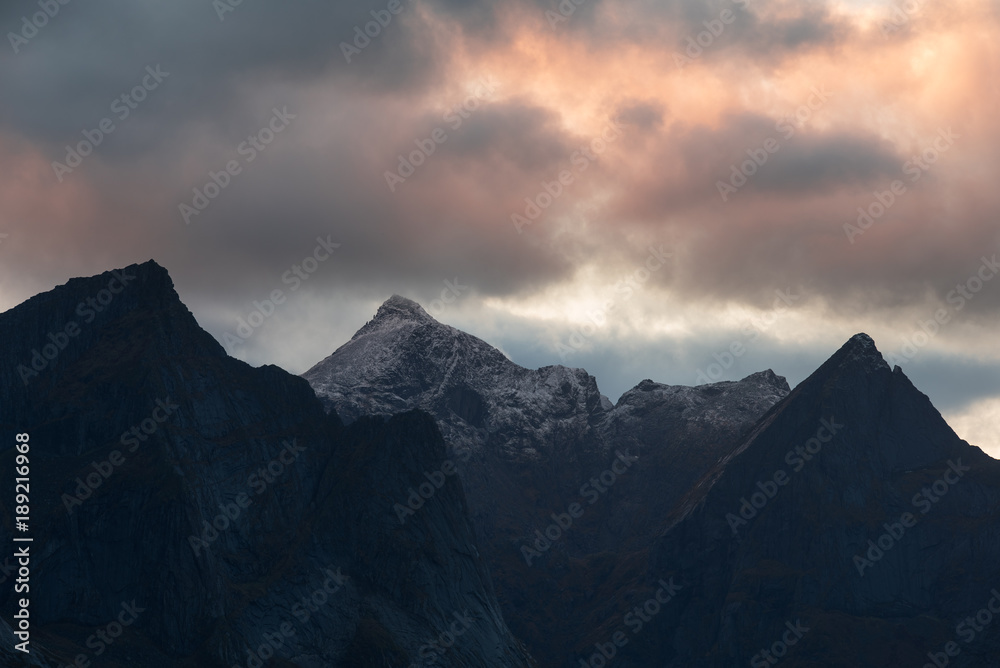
x,y
851,511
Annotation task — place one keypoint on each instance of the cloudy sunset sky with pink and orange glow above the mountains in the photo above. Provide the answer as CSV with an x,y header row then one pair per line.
x,y
679,190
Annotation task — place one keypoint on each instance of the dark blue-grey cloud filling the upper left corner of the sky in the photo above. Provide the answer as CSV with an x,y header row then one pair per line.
x,y
64,79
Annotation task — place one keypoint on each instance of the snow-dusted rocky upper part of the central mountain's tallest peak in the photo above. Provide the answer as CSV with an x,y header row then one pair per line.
x,y
403,359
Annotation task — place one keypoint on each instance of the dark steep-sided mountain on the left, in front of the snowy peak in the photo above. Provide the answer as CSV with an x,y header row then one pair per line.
x,y
189,510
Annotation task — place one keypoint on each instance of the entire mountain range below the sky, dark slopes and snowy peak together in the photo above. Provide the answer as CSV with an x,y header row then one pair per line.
x,y
418,499
